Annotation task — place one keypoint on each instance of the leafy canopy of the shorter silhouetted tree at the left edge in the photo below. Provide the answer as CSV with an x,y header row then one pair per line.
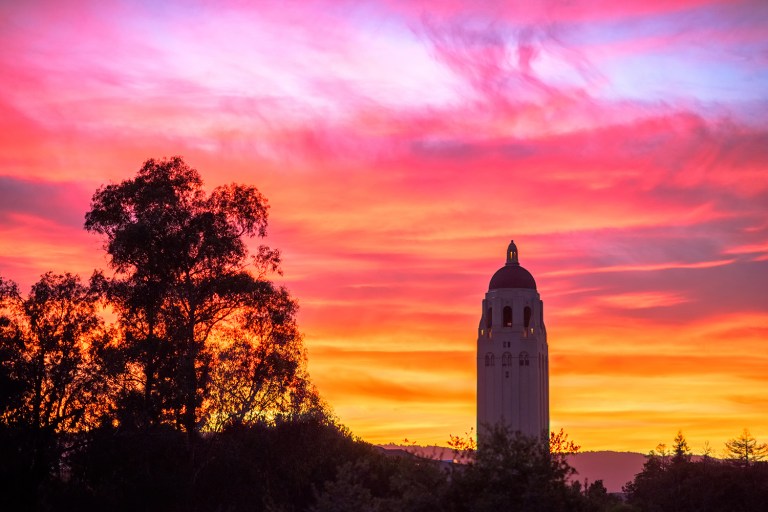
x,y
49,339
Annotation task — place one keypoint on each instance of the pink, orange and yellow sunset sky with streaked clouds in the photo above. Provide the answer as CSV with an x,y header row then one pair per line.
x,y
401,145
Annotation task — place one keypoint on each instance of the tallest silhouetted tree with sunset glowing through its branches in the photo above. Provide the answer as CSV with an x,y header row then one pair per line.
x,y
186,288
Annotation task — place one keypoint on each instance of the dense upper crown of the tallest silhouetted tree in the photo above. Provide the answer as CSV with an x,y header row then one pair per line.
x,y
161,224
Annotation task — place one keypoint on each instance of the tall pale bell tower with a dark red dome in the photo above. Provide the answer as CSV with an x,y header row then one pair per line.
x,y
512,354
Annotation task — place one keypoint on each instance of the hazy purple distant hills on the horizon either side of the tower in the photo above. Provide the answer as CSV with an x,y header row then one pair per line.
x,y
614,468
